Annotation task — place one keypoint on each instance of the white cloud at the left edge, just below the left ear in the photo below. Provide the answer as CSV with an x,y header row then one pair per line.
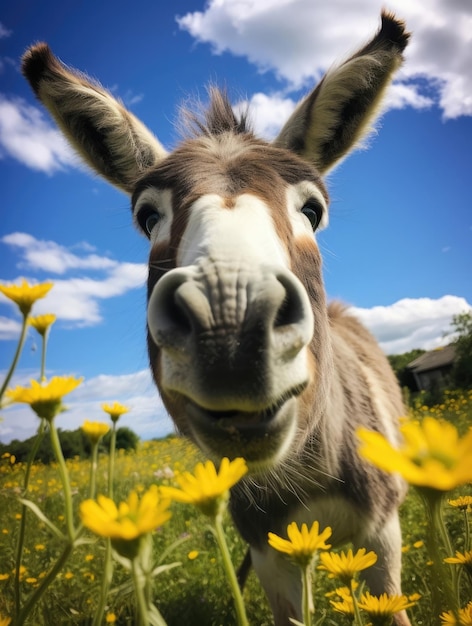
x,y
27,136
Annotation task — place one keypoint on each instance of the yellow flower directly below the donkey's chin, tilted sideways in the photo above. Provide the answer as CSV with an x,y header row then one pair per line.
x,y
206,488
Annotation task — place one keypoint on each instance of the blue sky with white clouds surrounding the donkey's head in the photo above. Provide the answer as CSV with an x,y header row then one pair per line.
x,y
399,245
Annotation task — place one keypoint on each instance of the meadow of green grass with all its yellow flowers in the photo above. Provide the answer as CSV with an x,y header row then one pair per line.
x,y
143,538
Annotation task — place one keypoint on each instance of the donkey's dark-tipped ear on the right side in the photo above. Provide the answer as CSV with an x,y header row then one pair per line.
x,y
339,113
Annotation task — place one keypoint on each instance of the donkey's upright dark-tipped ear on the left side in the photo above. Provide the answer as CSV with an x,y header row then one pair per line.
x,y
107,136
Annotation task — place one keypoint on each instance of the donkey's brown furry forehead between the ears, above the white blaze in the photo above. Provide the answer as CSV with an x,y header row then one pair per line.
x,y
228,165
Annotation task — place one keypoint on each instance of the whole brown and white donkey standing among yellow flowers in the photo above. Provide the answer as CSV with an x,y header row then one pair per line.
x,y
249,359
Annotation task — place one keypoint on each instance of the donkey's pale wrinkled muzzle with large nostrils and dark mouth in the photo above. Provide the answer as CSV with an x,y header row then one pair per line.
x,y
232,342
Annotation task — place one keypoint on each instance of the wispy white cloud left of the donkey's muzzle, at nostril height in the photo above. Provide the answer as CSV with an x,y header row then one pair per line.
x,y
73,299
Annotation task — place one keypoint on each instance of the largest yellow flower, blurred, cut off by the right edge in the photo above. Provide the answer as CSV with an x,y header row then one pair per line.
x,y
431,455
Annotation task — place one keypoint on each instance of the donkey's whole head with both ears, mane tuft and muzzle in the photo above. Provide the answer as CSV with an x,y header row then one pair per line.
x,y
238,334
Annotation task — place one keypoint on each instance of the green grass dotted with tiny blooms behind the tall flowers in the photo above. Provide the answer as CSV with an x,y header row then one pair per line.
x,y
195,592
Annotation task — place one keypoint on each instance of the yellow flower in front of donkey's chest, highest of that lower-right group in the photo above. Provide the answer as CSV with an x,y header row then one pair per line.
x,y
301,545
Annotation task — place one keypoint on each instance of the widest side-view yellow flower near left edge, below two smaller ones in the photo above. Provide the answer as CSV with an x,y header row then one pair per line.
x,y
45,398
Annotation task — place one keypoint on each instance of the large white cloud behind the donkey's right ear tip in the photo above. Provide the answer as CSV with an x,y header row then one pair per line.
x,y
300,39
